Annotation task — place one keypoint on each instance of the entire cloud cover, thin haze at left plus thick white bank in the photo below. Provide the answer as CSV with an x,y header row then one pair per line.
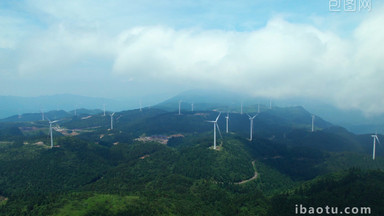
x,y
280,59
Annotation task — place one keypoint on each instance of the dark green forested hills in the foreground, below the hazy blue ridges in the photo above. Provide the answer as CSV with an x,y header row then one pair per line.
x,y
157,162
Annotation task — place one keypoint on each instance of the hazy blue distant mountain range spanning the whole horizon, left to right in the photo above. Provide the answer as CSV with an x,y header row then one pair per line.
x,y
353,120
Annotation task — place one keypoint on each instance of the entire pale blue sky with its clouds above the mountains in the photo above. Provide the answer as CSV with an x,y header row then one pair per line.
x,y
123,48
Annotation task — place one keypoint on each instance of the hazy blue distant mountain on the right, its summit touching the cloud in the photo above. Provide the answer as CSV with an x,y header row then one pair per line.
x,y
353,120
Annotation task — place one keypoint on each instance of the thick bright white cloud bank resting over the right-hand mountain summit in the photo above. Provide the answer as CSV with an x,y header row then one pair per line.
x,y
282,59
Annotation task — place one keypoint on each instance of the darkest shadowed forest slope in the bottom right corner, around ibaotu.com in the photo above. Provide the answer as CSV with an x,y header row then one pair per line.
x,y
352,188
